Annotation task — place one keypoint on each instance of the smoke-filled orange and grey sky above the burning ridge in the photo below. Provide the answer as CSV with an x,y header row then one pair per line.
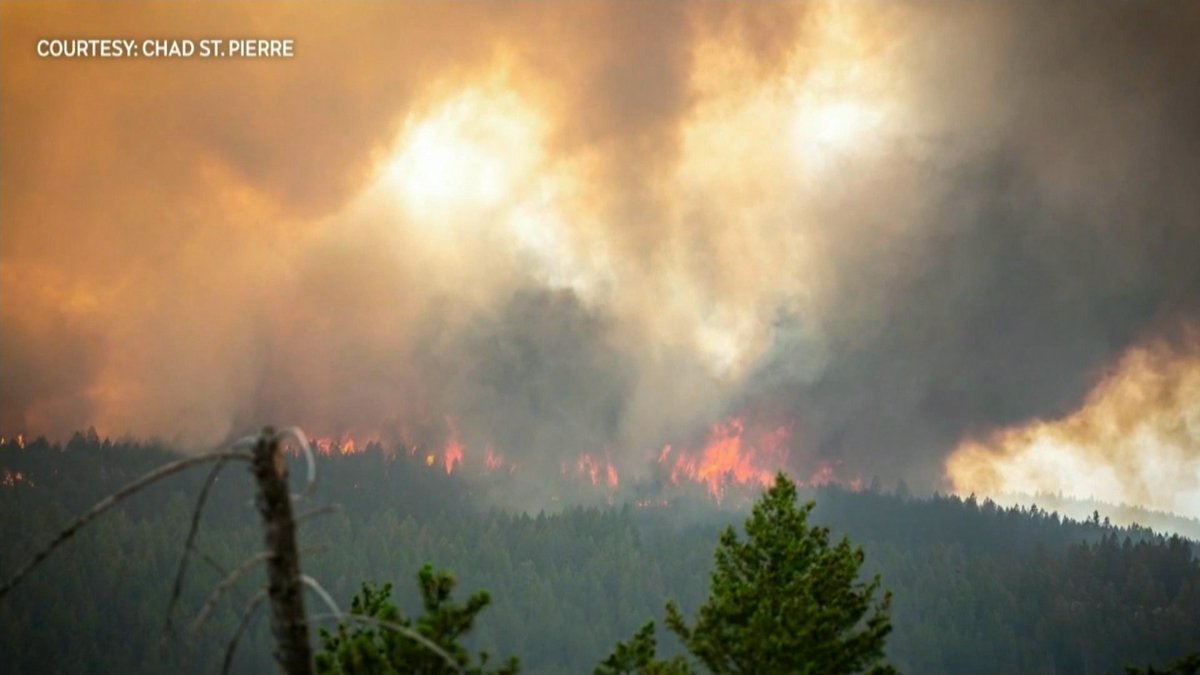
x,y
883,232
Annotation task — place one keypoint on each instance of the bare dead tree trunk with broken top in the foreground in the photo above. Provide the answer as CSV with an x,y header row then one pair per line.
x,y
289,619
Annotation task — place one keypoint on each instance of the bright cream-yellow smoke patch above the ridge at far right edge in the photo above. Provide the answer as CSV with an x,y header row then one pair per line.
x,y
1136,440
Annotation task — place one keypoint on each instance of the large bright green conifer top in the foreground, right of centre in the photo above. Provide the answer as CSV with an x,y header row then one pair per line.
x,y
787,601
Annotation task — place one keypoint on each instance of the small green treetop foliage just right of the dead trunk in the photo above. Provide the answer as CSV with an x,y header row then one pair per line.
x,y
381,640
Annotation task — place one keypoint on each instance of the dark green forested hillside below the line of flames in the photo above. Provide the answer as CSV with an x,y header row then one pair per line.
x,y
977,589
